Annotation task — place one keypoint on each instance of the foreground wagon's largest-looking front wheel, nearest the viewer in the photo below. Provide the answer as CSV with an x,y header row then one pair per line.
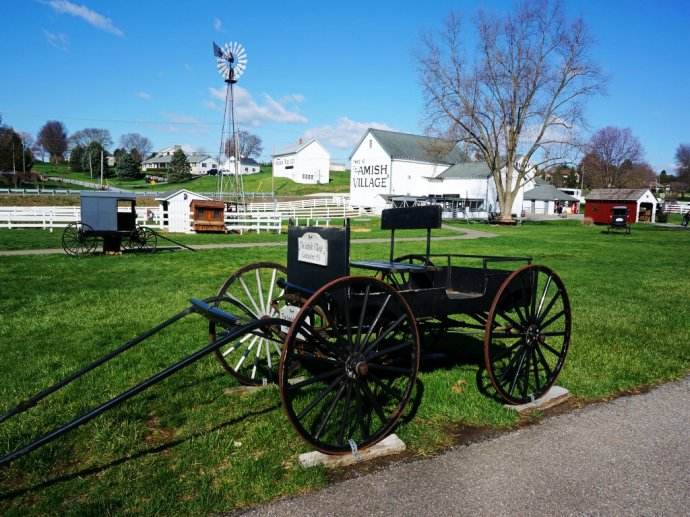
x,y
346,383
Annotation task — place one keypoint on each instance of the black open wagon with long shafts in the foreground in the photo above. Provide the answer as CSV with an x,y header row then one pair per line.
x,y
345,349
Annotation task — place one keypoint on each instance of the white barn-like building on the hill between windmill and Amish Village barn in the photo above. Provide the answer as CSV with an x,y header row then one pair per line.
x,y
306,162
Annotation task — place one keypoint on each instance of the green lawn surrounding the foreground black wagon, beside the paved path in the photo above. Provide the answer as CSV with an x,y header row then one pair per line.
x,y
187,446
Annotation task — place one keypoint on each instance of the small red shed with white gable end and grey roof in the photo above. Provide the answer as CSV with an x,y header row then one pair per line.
x,y
641,204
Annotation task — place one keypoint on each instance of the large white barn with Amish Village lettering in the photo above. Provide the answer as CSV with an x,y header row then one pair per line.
x,y
387,166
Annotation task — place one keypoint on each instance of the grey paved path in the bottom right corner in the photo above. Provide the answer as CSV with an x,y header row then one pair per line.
x,y
626,457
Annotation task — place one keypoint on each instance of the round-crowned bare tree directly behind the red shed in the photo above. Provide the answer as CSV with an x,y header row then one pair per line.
x,y
612,152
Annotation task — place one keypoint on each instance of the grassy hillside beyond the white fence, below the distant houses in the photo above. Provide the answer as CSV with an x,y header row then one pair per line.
x,y
261,182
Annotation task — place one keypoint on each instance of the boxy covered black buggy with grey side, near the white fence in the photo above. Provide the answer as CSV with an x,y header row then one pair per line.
x,y
109,217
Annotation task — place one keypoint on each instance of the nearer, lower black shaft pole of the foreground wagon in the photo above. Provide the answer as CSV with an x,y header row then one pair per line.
x,y
82,419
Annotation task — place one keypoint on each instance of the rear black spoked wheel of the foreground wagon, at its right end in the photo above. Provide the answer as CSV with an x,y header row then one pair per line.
x,y
527,334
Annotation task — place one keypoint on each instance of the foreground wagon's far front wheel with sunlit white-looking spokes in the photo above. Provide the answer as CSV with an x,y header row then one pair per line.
x,y
252,292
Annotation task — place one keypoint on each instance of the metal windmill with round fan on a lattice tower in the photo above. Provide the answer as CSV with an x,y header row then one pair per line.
x,y
231,61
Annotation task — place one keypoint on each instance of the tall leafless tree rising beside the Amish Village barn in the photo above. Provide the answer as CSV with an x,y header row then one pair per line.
x,y
517,101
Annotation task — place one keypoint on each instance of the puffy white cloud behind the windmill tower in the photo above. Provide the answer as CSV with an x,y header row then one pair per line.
x,y
251,112
